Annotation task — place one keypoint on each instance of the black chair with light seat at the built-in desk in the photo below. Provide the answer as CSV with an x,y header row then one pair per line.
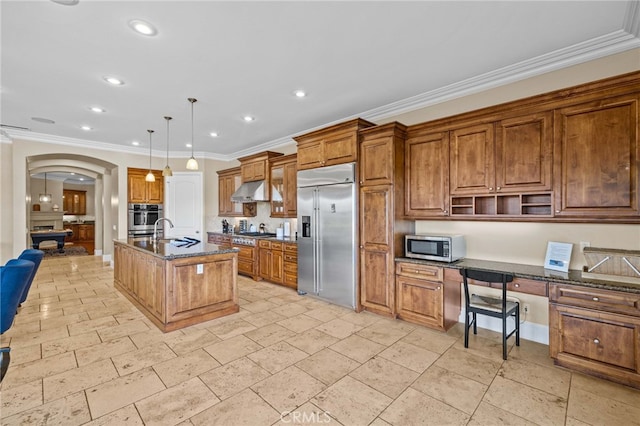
x,y
497,307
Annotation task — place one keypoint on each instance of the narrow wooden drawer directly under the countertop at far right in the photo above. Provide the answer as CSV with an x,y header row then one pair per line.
x,y
602,300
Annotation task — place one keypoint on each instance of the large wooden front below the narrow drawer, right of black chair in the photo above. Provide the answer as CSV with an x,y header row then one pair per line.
x,y
606,338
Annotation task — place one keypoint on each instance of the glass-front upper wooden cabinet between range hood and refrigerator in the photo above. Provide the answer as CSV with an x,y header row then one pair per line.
x,y
283,171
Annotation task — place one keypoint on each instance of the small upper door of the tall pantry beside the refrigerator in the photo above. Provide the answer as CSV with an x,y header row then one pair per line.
x,y
376,161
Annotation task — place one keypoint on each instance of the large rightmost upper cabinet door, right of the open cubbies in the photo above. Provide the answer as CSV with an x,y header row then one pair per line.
x,y
596,158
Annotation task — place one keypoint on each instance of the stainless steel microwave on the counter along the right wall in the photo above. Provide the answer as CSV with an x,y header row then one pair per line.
x,y
443,248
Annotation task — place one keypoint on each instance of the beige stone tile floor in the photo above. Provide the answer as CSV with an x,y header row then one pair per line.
x,y
82,354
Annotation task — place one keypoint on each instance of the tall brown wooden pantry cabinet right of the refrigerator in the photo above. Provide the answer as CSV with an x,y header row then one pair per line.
x,y
380,198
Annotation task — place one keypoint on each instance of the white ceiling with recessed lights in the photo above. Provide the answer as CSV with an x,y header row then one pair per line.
x,y
355,59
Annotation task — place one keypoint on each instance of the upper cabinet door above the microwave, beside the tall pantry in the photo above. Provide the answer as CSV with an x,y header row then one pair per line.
x,y
427,176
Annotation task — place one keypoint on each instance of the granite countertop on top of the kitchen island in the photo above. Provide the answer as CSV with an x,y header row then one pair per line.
x,y
165,250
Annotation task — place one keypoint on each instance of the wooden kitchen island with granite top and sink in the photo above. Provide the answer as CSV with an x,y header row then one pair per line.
x,y
177,286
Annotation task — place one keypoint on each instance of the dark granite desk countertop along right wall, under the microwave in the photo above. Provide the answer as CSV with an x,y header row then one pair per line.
x,y
533,272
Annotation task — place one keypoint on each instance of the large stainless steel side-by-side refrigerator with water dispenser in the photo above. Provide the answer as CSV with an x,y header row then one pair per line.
x,y
327,233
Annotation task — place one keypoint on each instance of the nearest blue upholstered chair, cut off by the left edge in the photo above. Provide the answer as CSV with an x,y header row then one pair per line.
x,y
13,277
